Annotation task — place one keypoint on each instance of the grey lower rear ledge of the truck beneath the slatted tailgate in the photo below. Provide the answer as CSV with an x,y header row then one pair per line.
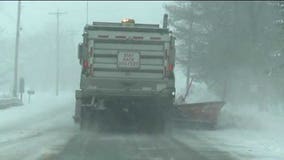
x,y
109,87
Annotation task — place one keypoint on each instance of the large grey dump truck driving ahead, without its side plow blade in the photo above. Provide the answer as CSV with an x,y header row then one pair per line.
x,y
127,76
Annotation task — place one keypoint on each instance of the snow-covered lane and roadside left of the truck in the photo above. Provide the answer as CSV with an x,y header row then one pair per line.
x,y
30,131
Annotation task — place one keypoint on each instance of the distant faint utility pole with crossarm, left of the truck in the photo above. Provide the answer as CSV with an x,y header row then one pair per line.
x,y
57,48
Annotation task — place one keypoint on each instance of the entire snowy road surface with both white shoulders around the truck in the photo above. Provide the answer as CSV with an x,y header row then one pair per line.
x,y
44,130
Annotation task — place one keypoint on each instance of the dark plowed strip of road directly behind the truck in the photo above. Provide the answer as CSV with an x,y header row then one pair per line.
x,y
88,146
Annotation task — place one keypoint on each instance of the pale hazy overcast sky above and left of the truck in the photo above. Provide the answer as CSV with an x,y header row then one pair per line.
x,y
38,32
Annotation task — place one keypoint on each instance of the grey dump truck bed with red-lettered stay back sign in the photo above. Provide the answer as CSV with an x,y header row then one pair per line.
x,y
127,60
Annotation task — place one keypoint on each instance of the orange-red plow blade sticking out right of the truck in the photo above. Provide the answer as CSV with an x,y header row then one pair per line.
x,y
201,114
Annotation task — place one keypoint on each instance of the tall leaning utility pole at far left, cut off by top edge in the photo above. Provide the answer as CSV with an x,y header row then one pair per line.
x,y
15,89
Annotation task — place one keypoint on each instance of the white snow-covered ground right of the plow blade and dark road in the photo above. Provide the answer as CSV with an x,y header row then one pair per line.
x,y
249,136
